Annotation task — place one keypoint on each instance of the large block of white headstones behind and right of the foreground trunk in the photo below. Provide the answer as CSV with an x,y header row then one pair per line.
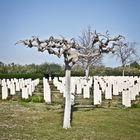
x,y
126,86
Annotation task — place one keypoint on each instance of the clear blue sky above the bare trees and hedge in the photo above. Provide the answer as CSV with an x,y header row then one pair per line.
x,y
21,19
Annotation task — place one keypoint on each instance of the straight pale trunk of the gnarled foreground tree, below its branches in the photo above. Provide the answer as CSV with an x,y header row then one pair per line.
x,y
67,111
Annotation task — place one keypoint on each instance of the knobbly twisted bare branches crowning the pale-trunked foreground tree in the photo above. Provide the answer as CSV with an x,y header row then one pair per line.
x,y
72,50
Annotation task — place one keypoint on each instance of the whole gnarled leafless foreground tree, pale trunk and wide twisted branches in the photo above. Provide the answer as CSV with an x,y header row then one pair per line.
x,y
70,50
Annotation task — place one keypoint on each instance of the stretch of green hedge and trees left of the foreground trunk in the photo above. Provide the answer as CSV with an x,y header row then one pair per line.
x,y
30,71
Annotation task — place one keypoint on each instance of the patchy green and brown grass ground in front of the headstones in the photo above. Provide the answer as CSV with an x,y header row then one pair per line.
x,y
35,120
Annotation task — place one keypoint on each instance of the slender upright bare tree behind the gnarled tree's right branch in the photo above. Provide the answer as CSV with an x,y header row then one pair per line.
x,y
86,41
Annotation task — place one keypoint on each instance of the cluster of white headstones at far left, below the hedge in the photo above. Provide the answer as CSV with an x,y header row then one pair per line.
x,y
11,86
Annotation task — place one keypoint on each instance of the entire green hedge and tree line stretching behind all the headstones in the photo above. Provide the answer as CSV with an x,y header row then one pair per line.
x,y
55,70
